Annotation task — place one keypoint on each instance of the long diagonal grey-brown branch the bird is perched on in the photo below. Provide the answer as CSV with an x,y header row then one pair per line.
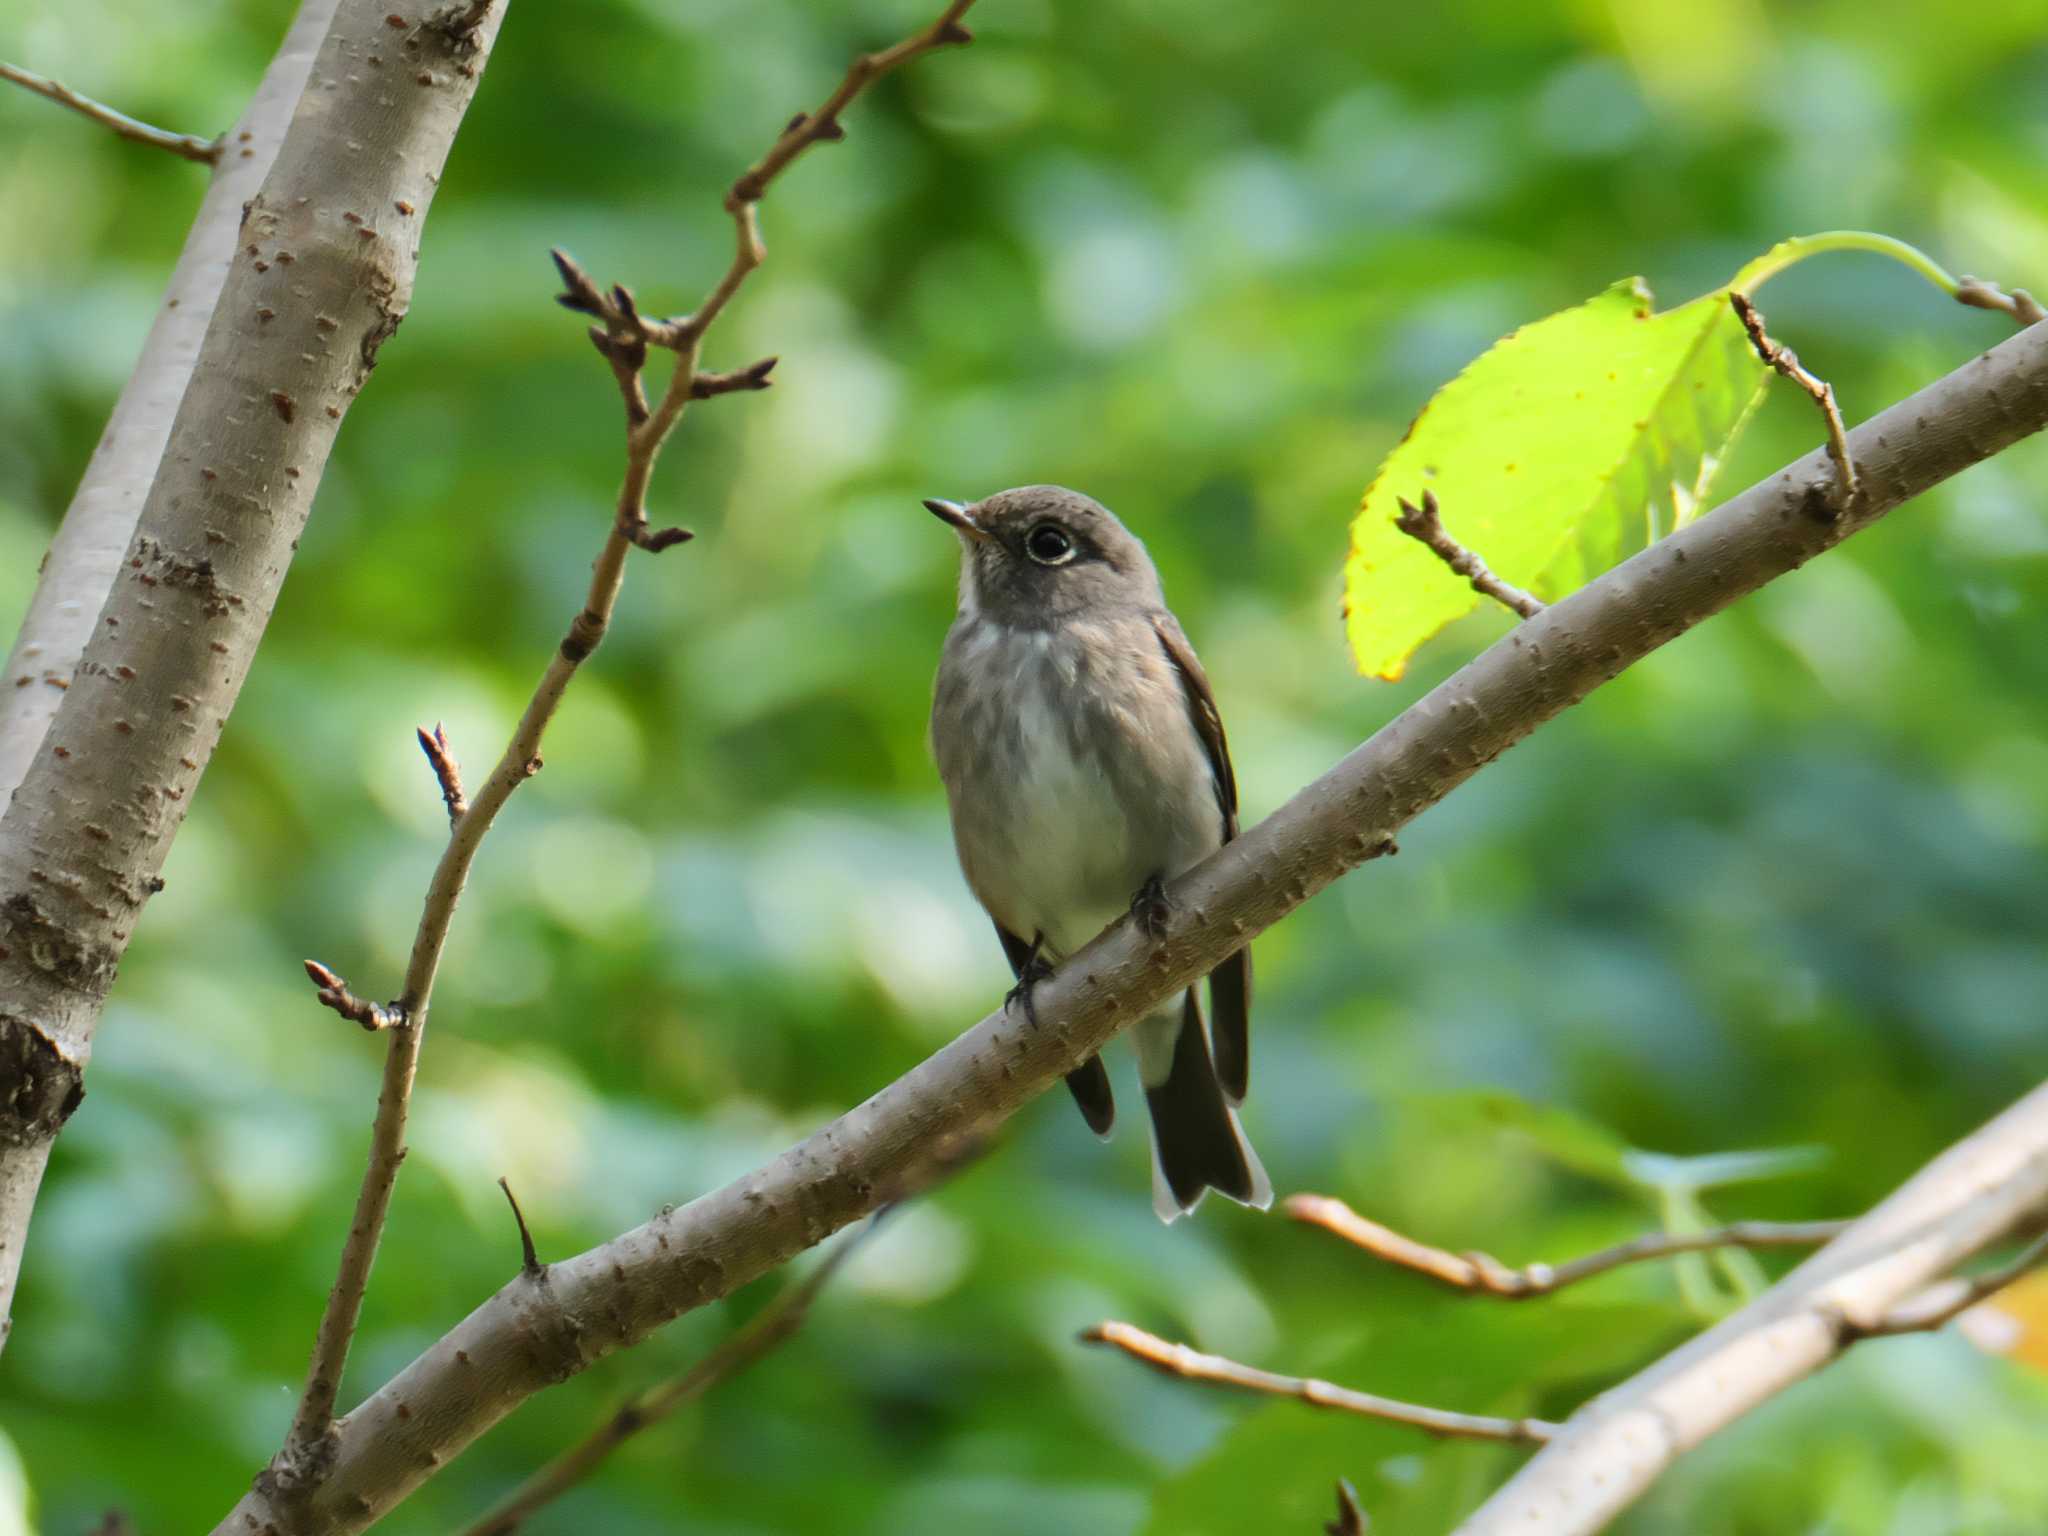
x,y
611,1297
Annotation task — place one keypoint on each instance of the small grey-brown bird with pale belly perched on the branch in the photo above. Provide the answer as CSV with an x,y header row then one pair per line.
x,y
1086,767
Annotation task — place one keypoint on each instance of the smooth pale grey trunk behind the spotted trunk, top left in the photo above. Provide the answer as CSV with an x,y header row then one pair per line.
x,y
79,570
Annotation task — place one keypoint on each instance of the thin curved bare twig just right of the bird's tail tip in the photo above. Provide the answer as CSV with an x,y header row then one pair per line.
x,y
1486,1275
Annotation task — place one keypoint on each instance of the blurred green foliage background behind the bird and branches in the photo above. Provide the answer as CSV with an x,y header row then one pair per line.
x,y
1781,888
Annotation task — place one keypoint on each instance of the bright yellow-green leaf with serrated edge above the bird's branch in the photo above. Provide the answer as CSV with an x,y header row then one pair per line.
x,y
1564,450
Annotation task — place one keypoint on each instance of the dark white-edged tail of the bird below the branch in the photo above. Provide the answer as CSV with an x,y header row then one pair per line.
x,y
1197,1140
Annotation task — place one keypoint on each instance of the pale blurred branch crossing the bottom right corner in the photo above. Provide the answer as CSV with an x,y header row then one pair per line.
x,y
1869,1281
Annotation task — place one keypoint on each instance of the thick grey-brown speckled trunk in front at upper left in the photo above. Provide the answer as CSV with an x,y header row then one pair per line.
x,y
321,280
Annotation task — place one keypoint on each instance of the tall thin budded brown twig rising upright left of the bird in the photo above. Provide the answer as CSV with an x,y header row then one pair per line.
x,y
624,341
